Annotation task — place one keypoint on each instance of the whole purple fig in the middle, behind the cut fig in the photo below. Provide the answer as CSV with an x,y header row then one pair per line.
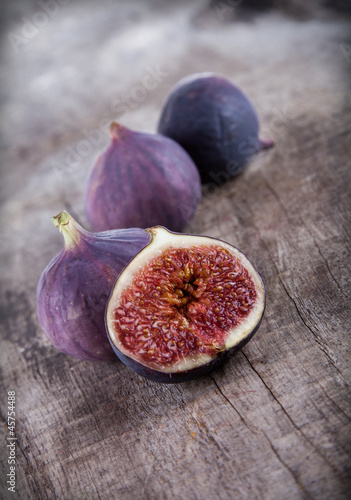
x,y
142,180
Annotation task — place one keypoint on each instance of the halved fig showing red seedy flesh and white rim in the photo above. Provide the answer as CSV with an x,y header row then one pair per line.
x,y
183,305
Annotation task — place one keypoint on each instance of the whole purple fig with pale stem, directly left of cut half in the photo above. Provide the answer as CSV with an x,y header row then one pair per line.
x,y
73,289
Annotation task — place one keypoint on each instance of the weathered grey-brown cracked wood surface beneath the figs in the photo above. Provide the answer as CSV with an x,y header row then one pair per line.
x,y
274,422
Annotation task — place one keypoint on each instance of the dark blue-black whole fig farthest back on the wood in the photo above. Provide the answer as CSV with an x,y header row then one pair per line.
x,y
215,123
